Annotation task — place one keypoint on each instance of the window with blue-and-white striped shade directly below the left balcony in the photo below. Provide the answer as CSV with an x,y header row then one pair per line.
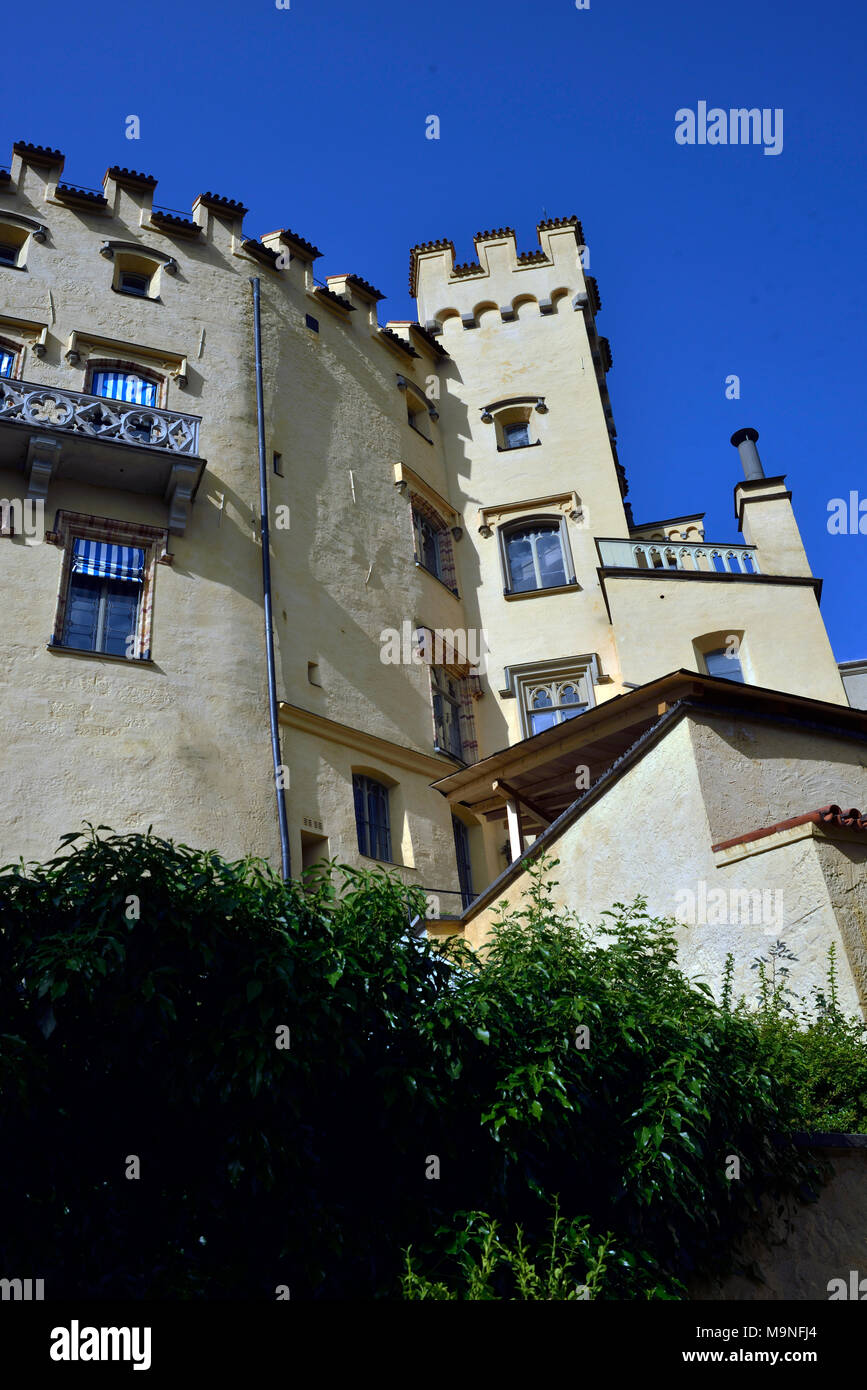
x,y
104,598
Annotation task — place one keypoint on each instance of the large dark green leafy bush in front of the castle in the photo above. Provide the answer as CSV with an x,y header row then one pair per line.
x,y
144,988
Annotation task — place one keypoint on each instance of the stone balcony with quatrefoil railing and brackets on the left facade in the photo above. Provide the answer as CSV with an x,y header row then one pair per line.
x,y
55,433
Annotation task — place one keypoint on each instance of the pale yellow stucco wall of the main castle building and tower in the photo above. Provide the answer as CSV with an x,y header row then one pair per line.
x,y
184,743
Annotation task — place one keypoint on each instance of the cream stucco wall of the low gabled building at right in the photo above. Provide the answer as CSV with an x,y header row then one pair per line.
x,y
652,835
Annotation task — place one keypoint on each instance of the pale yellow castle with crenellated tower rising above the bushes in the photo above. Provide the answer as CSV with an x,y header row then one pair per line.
x,y
473,646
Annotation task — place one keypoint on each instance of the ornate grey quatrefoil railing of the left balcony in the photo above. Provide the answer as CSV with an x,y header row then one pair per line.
x,y
97,418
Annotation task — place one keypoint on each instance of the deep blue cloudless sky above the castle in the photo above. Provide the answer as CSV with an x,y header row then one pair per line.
x,y
711,261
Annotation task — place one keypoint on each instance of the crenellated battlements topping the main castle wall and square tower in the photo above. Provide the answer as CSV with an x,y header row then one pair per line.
x,y
501,280
